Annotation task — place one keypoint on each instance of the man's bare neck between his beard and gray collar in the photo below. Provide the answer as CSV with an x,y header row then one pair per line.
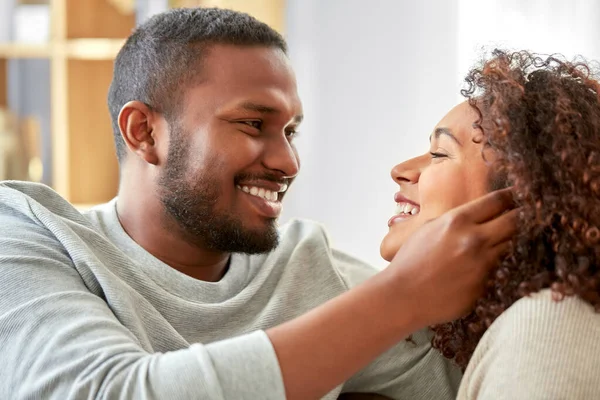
x,y
164,239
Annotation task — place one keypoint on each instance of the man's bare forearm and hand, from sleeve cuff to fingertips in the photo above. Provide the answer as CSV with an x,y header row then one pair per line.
x,y
436,277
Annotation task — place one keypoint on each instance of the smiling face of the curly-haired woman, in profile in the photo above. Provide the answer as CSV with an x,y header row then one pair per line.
x,y
452,173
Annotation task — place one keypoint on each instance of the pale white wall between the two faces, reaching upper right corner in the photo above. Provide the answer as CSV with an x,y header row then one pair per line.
x,y
376,76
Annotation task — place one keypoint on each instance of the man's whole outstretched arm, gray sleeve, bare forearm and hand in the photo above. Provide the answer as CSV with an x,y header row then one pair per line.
x,y
61,341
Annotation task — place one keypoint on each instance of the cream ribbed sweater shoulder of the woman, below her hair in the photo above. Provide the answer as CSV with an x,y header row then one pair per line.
x,y
538,349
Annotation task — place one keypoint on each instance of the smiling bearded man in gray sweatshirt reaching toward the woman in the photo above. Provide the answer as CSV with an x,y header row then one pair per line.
x,y
182,287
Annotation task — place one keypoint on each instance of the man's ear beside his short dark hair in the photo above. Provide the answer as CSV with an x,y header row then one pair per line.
x,y
137,123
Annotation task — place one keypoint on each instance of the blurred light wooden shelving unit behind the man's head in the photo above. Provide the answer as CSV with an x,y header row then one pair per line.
x,y
84,38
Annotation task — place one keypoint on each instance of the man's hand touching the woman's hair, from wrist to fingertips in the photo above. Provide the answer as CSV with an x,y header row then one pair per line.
x,y
445,263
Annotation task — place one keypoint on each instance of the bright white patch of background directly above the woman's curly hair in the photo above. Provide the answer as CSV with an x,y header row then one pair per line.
x,y
569,28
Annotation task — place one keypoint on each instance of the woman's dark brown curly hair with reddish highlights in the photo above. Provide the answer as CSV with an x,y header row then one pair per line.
x,y
541,118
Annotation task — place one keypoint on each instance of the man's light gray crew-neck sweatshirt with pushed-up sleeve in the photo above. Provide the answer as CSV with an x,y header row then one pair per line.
x,y
85,312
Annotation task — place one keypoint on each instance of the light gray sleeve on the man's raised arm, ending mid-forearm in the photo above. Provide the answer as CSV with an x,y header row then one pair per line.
x,y
59,340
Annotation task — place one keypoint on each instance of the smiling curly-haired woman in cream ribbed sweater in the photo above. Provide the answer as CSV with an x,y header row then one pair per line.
x,y
533,123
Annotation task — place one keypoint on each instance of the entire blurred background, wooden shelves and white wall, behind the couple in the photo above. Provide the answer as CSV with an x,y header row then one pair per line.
x,y
375,77
